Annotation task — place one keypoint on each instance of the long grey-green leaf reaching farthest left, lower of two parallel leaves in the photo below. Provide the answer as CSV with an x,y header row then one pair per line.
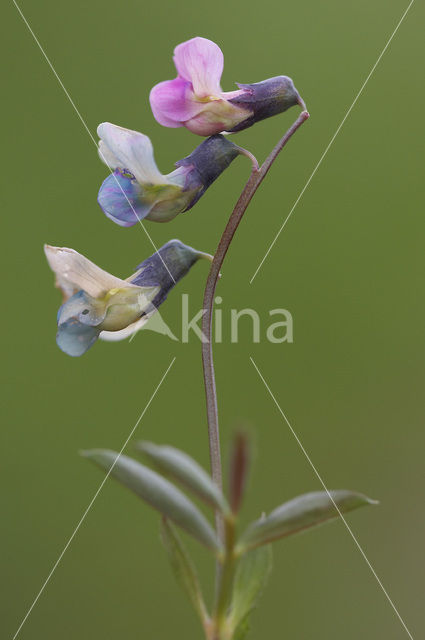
x,y
158,492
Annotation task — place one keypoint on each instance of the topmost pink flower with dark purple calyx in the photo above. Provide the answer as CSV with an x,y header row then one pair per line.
x,y
196,101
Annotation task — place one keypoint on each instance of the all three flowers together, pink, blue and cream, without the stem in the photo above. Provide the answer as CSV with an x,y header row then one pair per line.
x,y
98,304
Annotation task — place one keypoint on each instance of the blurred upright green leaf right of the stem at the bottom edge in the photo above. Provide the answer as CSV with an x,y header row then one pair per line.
x,y
251,577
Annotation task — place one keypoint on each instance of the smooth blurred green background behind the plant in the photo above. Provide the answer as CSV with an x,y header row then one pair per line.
x,y
349,266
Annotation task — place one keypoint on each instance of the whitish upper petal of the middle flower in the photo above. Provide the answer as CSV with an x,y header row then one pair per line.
x,y
129,150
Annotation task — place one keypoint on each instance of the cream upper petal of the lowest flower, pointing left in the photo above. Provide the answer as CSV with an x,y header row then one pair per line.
x,y
74,270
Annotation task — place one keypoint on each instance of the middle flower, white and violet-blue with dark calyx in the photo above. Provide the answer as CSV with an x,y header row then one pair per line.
x,y
137,190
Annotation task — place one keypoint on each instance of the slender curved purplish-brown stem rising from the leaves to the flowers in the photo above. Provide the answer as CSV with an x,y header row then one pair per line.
x,y
257,176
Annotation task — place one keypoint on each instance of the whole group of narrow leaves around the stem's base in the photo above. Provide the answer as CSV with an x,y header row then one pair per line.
x,y
252,551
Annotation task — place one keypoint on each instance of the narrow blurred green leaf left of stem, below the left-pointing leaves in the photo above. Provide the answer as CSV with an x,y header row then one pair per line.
x,y
183,568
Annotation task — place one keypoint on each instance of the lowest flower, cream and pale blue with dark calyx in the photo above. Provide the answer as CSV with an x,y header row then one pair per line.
x,y
97,304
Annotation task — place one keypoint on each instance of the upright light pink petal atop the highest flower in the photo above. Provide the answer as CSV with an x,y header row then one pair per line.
x,y
200,61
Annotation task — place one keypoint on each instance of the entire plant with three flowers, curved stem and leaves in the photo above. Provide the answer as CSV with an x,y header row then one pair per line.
x,y
97,304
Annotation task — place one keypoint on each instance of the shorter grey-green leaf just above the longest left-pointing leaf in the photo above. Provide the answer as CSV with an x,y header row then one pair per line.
x,y
184,469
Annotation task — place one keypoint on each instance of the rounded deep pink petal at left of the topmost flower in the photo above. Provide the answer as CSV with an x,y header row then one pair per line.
x,y
173,102
